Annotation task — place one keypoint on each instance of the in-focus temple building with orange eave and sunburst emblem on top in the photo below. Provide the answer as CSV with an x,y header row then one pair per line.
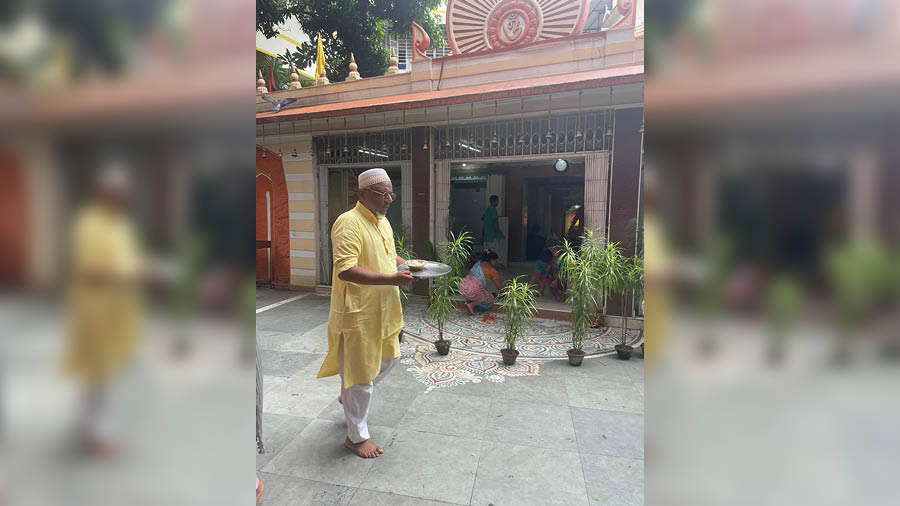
x,y
527,107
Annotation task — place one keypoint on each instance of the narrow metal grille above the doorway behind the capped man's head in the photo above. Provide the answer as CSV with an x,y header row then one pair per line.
x,y
364,147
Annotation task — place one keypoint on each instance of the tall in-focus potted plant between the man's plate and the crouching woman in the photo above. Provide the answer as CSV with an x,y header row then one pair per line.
x,y
442,306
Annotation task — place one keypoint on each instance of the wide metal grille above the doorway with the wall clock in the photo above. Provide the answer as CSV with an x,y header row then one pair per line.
x,y
588,131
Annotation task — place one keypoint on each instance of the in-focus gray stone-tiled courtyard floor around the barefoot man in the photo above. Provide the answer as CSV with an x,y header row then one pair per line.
x,y
569,436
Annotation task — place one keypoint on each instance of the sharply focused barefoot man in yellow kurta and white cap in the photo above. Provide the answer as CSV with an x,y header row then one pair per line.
x,y
366,316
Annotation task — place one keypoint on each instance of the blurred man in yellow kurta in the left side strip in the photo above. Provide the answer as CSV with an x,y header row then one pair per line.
x,y
104,304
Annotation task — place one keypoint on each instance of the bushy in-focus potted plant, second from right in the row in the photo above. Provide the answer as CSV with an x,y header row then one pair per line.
x,y
579,269
